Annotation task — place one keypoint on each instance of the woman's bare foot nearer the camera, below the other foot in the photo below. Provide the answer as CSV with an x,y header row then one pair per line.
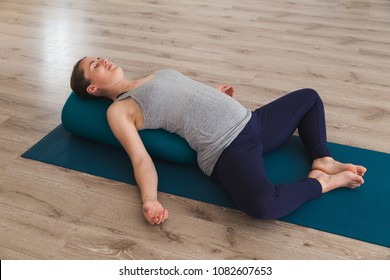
x,y
343,179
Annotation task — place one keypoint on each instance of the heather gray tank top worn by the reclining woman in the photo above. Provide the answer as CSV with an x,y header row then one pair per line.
x,y
208,119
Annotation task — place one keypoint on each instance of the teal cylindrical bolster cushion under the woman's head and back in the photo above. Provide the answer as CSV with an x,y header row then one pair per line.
x,y
87,118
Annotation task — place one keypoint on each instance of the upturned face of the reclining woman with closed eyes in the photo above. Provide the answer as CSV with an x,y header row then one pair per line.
x,y
103,74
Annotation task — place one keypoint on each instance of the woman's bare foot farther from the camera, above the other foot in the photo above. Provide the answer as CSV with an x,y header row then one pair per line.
x,y
331,166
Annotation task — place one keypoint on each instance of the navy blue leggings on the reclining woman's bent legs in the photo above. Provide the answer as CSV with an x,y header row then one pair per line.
x,y
240,168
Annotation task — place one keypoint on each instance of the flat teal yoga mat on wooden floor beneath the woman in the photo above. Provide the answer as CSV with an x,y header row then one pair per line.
x,y
363,214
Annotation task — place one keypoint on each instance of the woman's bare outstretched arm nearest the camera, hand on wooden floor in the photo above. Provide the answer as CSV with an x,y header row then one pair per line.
x,y
122,122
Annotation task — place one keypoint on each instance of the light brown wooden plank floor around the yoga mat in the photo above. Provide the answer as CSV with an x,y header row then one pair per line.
x,y
265,48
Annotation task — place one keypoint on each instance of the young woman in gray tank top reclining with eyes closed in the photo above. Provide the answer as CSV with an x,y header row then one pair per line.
x,y
229,139
